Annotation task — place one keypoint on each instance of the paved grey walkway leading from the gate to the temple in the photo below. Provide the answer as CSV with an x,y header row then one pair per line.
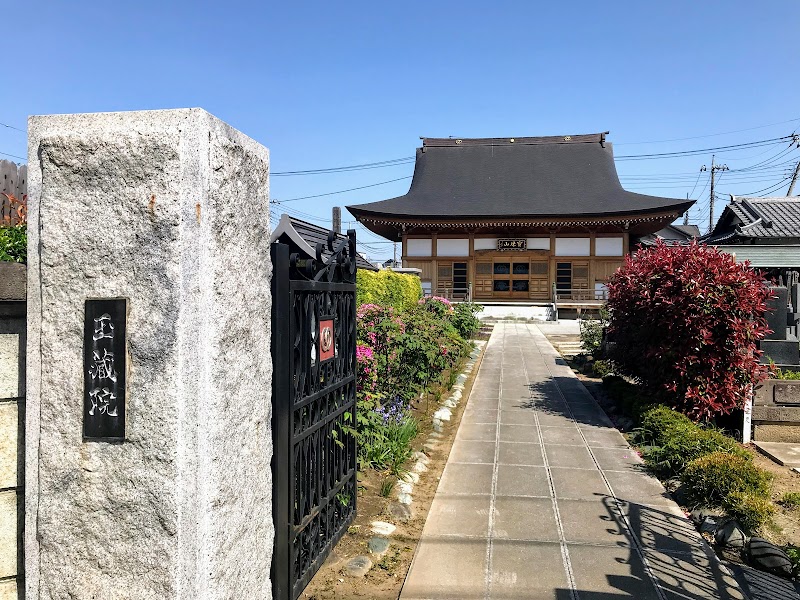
x,y
542,498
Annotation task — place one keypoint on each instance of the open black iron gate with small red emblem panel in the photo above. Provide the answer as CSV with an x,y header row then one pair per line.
x,y
313,402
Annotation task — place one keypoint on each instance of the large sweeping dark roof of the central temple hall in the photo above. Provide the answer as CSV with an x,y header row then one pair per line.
x,y
520,177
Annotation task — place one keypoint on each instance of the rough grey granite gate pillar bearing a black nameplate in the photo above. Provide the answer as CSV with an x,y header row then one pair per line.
x,y
148,430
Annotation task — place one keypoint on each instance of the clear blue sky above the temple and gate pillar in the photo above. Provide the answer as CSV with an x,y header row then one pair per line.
x,y
326,84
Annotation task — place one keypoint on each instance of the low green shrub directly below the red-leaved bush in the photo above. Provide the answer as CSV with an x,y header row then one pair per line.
x,y
672,441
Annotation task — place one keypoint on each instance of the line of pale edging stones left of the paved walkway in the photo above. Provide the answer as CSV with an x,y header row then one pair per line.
x,y
380,544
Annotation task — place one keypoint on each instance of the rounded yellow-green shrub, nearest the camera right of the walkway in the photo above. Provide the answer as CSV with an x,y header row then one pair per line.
x,y
725,480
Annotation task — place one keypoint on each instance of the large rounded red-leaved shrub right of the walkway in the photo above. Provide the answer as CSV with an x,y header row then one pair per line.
x,y
685,321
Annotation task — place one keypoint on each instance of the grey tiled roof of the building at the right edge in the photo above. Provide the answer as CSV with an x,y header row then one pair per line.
x,y
759,218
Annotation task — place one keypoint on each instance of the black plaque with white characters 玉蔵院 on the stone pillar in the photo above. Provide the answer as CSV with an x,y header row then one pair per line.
x,y
104,369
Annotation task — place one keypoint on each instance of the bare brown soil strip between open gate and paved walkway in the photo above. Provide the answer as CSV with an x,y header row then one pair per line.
x,y
385,579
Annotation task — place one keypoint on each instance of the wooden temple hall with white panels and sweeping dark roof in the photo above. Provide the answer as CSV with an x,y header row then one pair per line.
x,y
533,219
